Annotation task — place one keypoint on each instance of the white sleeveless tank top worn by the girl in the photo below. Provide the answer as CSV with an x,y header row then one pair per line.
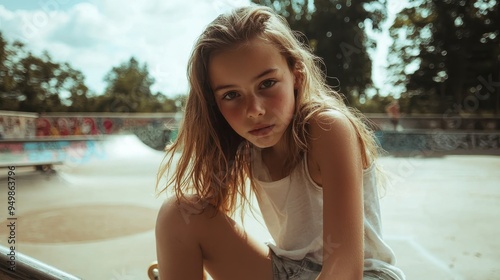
x,y
292,209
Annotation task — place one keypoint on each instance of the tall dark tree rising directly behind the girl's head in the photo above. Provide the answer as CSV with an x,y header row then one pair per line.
x,y
335,30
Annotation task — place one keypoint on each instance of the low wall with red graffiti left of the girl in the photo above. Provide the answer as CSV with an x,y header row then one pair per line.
x,y
155,130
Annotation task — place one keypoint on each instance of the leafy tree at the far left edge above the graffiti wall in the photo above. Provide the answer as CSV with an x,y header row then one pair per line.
x,y
35,84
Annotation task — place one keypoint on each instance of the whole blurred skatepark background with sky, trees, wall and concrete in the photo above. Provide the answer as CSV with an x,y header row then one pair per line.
x,y
91,91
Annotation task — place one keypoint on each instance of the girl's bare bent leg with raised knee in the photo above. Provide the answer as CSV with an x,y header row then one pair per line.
x,y
186,243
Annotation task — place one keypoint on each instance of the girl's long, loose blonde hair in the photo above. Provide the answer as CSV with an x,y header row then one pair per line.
x,y
214,160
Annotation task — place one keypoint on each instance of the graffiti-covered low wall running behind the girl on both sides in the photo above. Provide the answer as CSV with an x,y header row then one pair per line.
x,y
157,129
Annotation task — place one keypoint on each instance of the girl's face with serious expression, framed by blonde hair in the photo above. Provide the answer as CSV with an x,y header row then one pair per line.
x,y
254,91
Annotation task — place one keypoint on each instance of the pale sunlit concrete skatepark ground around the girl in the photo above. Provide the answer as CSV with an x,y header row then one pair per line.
x,y
95,218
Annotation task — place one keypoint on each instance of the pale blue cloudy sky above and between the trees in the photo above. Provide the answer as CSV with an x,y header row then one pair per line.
x,y
96,35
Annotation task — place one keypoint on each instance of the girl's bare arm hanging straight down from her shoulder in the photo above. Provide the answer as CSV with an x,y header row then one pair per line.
x,y
336,153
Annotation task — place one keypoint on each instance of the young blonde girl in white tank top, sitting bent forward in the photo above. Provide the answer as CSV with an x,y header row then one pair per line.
x,y
259,109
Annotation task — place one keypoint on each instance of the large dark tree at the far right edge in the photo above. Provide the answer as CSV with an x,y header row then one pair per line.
x,y
454,49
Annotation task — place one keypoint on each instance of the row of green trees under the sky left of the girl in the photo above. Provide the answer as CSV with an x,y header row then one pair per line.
x,y
31,83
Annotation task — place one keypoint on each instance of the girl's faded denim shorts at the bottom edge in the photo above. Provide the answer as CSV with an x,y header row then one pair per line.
x,y
305,269
